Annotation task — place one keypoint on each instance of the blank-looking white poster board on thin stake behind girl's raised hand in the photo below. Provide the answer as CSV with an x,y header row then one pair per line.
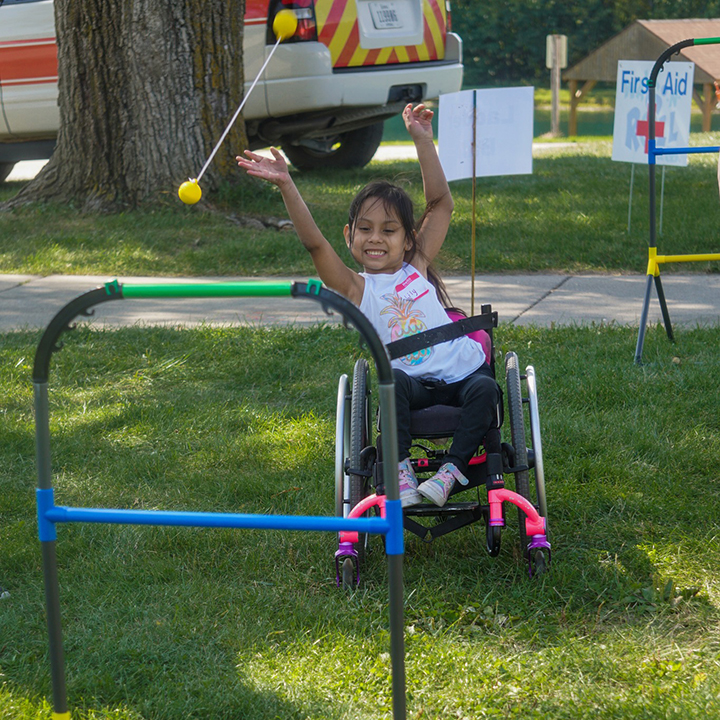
x,y
503,119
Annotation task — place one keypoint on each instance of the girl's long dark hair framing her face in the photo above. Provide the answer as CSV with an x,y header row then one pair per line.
x,y
397,200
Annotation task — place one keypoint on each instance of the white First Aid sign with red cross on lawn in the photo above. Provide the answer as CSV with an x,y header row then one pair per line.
x,y
673,99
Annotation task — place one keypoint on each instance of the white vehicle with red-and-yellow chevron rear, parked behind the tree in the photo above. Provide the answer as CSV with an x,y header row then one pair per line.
x,y
323,98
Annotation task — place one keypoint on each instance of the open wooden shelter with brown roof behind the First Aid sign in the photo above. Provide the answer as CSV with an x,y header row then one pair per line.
x,y
646,40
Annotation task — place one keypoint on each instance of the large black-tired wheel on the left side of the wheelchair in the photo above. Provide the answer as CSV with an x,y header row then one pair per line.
x,y
360,434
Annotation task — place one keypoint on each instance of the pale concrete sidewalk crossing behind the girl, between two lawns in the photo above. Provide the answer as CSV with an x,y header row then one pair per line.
x,y
31,301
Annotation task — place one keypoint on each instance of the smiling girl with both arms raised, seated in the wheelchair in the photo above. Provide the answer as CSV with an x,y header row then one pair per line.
x,y
398,292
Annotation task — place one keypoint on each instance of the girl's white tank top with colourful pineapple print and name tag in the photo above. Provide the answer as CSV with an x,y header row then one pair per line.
x,y
406,303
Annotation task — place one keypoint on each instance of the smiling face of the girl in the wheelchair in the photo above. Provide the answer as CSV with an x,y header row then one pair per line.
x,y
378,240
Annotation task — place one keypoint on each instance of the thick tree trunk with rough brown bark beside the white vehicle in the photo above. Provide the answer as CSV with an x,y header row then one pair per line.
x,y
146,88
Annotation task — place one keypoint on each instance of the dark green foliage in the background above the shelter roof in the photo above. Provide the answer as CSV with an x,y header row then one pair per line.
x,y
505,42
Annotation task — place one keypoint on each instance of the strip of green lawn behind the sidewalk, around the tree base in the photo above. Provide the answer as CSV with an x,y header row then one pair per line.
x,y
570,215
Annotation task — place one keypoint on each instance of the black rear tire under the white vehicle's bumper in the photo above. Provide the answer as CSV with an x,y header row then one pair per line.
x,y
353,149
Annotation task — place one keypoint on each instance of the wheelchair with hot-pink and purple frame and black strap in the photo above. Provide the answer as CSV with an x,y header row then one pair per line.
x,y
358,459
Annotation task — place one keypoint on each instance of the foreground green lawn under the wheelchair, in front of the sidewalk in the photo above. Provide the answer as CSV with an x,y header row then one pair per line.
x,y
169,623
